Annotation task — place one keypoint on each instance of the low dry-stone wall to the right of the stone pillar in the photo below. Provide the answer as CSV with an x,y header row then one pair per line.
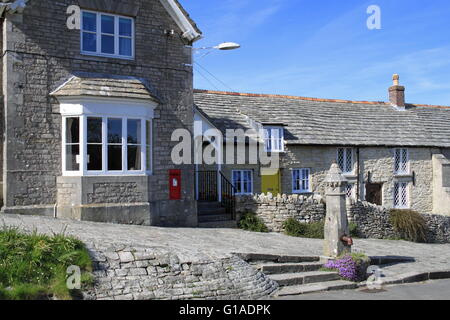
x,y
373,222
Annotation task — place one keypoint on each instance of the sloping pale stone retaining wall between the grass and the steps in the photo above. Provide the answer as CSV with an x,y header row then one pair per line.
x,y
146,274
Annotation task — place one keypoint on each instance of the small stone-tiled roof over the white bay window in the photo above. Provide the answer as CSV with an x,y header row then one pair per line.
x,y
102,85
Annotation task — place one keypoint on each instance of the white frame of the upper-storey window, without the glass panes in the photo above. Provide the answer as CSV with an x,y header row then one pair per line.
x,y
116,35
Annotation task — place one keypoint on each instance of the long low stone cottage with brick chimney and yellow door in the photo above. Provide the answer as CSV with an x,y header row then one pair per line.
x,y
393,154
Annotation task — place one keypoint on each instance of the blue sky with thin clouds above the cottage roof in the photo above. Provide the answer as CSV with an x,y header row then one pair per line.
x,y
323,48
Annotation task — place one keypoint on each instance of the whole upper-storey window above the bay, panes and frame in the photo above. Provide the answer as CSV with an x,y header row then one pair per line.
x,y
107,35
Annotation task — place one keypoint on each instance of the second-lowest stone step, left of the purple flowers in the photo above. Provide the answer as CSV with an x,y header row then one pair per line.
x,y
293,279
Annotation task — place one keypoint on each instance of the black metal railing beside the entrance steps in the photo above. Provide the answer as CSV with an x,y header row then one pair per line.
x,y
208,190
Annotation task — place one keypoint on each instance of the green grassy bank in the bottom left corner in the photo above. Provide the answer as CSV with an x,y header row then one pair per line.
x,y
33,266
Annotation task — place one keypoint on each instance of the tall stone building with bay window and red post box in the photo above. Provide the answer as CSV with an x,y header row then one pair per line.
x,y
92,91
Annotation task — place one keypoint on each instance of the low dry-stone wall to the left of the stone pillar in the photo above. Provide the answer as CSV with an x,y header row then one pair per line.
x,y
276,210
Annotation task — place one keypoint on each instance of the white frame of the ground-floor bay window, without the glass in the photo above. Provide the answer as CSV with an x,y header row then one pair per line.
x,y
85,108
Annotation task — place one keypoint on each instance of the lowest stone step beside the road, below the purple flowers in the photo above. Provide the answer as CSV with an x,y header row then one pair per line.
x,y
316,287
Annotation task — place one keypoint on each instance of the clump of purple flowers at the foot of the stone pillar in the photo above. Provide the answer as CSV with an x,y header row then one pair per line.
x,y
352,267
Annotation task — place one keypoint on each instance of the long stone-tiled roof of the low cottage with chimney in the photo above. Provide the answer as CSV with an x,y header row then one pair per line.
x,y
310,121
